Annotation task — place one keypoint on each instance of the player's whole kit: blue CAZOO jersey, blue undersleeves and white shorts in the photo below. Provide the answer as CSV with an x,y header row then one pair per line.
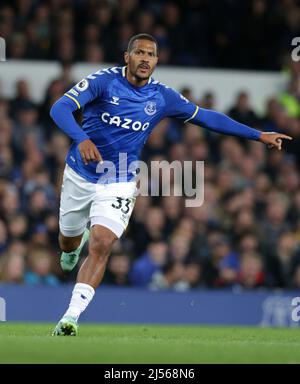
x,y
118,117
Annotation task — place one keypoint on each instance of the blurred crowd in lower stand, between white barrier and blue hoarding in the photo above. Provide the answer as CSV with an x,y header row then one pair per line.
x,y
246,234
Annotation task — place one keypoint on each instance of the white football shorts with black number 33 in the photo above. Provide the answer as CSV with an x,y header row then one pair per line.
x,y
81,201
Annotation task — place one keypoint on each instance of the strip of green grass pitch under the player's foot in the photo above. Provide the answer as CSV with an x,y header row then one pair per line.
x,y
33,343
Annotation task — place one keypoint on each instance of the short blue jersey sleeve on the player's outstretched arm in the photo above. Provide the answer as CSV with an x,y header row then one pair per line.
x,y
178,106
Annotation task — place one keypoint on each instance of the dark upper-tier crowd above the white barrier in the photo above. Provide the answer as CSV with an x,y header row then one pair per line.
x,y
253,34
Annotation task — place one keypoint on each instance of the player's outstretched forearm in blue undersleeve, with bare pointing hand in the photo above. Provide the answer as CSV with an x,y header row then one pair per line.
x,y
221,123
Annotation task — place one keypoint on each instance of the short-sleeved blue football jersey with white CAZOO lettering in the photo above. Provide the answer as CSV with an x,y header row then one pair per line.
x,y
118,117
